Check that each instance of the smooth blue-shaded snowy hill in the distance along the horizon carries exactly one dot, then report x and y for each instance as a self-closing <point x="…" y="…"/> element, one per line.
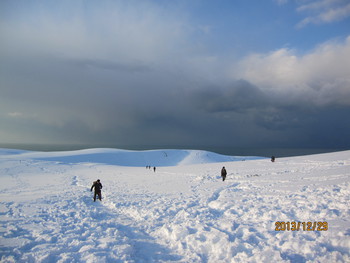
<point x="129" y="158"/>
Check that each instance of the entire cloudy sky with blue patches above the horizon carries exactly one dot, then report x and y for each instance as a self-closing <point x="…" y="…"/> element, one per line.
<point x="182" y="73"/>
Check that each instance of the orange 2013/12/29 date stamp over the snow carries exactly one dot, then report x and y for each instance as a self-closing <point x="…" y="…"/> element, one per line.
<point x="301" y="226"/>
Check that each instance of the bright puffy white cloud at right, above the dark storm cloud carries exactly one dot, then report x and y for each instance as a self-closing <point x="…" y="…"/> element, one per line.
<point x="321" y="77"/>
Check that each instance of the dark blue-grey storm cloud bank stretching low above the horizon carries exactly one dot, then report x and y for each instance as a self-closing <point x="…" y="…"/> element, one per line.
<point x="76" y="102"/>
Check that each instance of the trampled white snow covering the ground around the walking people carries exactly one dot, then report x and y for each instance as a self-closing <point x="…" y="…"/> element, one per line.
<point x="183" y="213"/>
